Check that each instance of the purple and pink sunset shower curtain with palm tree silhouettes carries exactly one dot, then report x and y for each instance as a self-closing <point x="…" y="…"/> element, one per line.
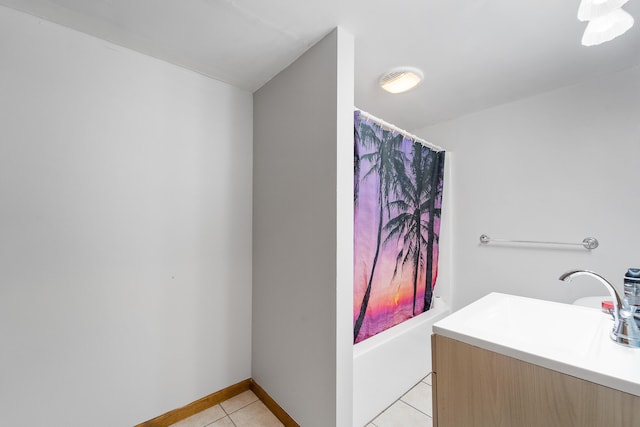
<point x="398" y="186"/>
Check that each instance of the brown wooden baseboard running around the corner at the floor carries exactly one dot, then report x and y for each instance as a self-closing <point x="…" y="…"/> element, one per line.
<point x="213" y="399"/>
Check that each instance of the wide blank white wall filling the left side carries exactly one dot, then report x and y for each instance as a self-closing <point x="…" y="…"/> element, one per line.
<point x="125" y="231"/>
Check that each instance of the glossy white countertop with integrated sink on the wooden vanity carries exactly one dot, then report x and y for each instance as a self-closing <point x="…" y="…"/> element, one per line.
<point x="566" y="338"/>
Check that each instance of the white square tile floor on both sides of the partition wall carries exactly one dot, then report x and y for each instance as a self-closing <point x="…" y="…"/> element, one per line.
<point x="246" y="410"/>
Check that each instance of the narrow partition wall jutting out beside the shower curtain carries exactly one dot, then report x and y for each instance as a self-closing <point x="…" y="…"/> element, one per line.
<point x="303" y="236"/>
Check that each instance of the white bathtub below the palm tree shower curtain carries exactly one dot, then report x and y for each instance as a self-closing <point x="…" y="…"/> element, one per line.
<point x="388" y="364"/>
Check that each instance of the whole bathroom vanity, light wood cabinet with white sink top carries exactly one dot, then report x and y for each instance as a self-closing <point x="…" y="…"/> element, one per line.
<point x="520" y="362"/>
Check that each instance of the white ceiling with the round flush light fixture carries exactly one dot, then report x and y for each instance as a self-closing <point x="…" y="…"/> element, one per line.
<point x="475" y="53"/>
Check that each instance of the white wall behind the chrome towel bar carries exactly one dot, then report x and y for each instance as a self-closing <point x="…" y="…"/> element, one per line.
<point x="559" y="166"/>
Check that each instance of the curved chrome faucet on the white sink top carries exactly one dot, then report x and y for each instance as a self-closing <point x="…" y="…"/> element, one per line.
<point x="624" y="330"/>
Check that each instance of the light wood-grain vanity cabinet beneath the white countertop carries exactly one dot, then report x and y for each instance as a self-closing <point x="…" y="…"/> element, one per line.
<point x="474" y="387"/>
